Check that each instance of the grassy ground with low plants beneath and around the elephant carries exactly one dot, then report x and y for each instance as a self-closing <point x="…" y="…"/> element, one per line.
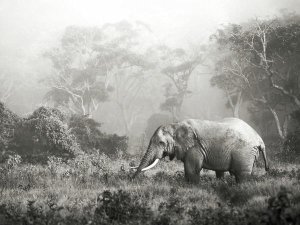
<point x="97" y="190"/>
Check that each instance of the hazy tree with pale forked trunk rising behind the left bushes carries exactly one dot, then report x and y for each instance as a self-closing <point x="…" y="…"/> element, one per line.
<point x="78" y="79"/>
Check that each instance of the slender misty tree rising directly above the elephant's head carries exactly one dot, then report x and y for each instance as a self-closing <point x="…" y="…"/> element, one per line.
<point x="177" y="65"/>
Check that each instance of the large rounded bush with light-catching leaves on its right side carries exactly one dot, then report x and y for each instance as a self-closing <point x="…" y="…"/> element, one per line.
<point x="44" y="133"/>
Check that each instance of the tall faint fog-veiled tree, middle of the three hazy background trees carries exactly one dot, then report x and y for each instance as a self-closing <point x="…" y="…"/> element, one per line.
<point x="127" y="65"/>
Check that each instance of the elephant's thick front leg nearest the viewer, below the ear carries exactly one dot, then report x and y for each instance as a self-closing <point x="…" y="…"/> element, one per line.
<point x="192" y="165"/>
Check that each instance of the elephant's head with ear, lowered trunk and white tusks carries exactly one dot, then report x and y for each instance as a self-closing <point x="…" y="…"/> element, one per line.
<point x="169" y="140"/>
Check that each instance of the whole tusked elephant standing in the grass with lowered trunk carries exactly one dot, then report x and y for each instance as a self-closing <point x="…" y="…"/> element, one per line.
<point x="225" y="145"/>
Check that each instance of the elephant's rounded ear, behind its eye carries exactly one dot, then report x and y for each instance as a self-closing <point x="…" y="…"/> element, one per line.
<point x="185" y="136"/>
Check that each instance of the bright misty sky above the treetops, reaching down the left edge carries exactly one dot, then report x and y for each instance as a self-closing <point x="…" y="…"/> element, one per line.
<point x="30" y="27"/>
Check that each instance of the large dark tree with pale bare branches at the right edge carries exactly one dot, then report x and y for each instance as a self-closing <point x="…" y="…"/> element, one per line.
<point x="269" y="54"/>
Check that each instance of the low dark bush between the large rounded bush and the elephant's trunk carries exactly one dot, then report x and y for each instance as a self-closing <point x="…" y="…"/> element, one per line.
<point x="89" y="136"/>
